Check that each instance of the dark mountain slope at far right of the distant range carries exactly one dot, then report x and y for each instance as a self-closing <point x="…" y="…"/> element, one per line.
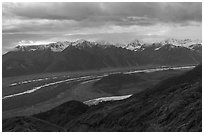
<point x="169" y="55"/>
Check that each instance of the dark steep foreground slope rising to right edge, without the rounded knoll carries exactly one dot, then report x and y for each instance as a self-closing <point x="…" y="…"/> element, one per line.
<point x="173" y="105"/>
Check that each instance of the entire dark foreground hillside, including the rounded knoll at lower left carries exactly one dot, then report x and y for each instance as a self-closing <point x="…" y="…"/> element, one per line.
<point x="174" y="105"/>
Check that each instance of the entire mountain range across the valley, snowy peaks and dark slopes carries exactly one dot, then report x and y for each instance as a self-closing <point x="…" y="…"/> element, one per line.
<point x="90" y="55"/>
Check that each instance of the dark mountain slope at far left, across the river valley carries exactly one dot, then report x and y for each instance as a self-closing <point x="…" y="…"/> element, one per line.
<point x="20" y="63"/>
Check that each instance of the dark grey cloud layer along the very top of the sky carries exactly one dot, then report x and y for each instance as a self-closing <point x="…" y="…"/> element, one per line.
<point x="109" y="11"/>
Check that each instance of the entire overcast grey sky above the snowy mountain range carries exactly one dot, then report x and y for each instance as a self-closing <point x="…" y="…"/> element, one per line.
<point x="42" y="23"/>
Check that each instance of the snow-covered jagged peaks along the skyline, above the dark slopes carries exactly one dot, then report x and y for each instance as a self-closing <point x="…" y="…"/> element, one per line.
<point x="135" y="45"/>
